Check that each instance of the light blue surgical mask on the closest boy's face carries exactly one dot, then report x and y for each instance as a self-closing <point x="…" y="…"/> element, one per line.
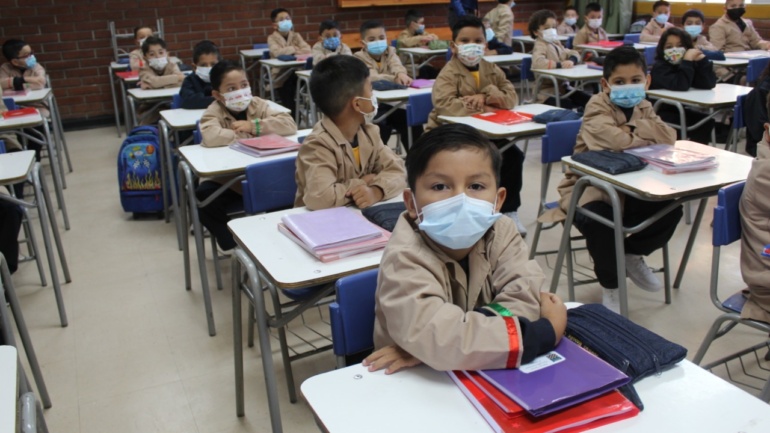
<point x="457" y="222"/>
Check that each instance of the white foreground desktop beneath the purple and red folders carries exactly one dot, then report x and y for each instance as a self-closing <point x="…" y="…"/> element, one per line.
<point x="685" y="398"/>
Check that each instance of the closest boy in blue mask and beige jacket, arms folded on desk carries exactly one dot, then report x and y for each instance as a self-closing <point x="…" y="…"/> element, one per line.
<point x="456" y="290"/>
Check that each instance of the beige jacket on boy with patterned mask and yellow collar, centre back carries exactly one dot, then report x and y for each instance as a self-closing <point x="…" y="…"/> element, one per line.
<point x="455" y="81"/>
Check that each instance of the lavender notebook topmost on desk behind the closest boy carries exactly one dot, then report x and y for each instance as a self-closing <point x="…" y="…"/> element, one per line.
<point x="331" y="227"/>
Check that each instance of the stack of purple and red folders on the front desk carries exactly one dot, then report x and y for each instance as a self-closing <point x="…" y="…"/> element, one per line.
<point x="565" y="390"/>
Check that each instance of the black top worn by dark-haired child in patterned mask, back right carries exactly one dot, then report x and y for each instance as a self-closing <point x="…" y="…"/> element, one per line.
<point x="684" y="76"/>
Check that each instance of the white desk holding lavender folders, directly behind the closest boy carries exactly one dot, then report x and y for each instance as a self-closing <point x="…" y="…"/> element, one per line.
<point x="271" y="259"/>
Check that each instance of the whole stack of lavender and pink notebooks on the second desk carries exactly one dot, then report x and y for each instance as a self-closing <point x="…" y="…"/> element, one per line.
<point x="332" y="234"/>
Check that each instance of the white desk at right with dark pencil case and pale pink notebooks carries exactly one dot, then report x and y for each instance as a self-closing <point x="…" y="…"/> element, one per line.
<point x="650" y="185"/>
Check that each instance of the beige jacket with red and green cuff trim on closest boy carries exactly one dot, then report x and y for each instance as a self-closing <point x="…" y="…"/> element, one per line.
<point x="424" y="301"/>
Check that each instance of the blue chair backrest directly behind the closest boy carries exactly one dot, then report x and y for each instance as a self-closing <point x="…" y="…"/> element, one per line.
<point x="352" y="314"/>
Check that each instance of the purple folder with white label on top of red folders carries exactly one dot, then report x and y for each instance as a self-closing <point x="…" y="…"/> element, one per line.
<point x="580" y="376"/>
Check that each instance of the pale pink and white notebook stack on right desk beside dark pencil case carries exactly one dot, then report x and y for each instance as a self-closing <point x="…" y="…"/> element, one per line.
<point x="668" y="159"/>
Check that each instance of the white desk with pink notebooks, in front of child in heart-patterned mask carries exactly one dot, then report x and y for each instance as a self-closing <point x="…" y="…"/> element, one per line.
<point x="227" y="165"/>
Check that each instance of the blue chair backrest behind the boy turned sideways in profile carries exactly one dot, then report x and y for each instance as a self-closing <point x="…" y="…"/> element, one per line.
<point x="269" y="186"/>
